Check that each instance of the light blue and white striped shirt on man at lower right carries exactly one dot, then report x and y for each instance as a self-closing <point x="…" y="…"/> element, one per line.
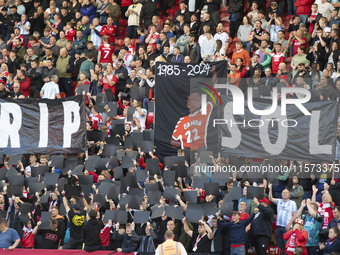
<point x="285" y="212"/>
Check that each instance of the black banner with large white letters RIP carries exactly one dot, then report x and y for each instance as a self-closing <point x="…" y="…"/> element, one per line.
<point x="31" y="126"/>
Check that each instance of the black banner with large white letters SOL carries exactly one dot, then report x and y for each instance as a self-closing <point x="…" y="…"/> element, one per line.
<point x="294" y="136"/>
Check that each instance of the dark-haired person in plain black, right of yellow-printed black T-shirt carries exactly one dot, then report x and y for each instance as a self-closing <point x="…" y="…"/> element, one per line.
<point x="91" y="232"/>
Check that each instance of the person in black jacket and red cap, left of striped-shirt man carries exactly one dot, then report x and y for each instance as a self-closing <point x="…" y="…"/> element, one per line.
<point x="261" y="226"/>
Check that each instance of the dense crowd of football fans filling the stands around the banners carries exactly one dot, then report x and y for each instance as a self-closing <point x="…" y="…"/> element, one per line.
<point x="56" y="49"/>
